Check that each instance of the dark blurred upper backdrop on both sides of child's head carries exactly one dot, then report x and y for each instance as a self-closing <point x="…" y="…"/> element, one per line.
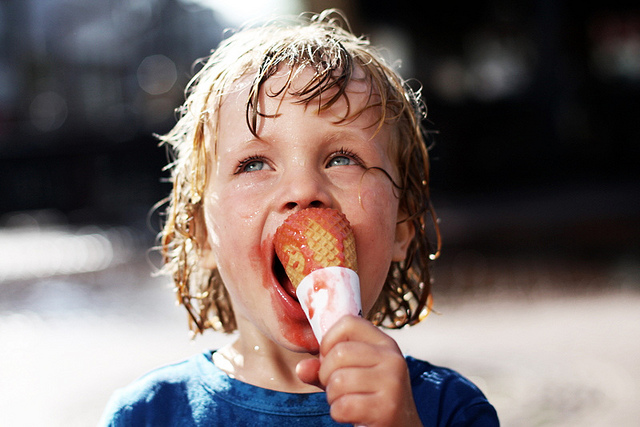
<point x="536" y="105"/>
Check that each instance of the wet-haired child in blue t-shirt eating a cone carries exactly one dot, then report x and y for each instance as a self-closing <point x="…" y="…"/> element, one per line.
<point x="283" y="117"/>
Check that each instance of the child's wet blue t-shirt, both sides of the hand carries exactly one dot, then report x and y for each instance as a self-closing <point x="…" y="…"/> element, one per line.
<point x="196" y="393"/>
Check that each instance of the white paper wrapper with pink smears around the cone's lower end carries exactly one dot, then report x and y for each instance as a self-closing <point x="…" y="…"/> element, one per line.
<point x="327" y="294"/>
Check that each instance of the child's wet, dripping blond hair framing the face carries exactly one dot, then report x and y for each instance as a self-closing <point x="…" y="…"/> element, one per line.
<point x="324" y="44"/>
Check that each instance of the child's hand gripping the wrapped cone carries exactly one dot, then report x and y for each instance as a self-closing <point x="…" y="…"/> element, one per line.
<point x="364" y="375"/>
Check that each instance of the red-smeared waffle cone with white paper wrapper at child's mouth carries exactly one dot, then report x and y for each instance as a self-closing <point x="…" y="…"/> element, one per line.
<point x="317" y="248"/>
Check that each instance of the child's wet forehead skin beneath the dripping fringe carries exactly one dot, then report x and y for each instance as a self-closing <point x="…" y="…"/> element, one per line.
<point x="358" y="109"/>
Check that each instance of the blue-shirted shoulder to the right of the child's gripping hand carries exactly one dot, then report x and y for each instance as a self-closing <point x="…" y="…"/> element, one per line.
<point x="443" y="396"/>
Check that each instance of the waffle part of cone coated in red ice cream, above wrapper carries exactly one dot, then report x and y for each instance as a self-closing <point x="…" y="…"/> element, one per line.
<point x="315" y="238"/>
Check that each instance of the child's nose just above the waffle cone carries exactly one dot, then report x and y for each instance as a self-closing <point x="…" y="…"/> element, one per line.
<point x="304" y="189"/>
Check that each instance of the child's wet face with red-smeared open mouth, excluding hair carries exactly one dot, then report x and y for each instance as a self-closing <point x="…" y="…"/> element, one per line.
<point x="301" y="159"/>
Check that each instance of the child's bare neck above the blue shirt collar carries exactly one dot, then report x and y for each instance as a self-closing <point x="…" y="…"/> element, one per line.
<point x="264" y="365"/>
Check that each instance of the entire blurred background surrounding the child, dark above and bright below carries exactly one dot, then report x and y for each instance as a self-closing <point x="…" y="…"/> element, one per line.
<point x="535" y="176"/>
